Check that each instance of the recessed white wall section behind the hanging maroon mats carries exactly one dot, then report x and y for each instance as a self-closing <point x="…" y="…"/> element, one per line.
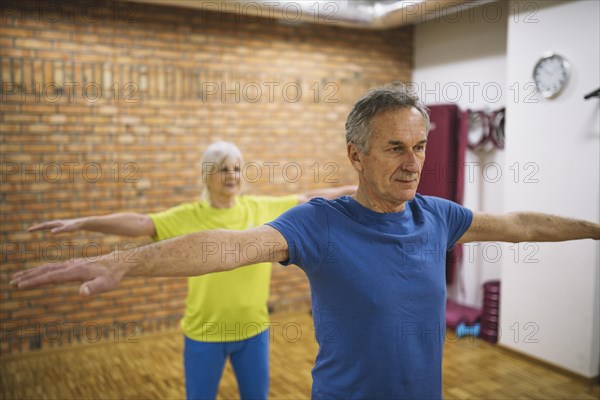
<point x="461" y="59"/>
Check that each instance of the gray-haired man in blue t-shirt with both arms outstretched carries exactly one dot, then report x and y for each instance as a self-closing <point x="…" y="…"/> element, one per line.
<point x="375" y="260"/>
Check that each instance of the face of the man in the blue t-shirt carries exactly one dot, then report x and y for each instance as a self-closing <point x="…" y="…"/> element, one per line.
<point x="390" y="173"/>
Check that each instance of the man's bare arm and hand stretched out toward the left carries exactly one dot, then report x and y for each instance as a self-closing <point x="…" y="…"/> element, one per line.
<point x="190" y="255"/>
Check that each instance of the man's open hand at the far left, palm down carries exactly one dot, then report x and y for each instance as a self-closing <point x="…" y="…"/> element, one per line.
<point x="97" y="276"/>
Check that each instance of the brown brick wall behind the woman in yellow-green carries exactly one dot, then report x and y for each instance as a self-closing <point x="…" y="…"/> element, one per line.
<point x="107" y="106"/>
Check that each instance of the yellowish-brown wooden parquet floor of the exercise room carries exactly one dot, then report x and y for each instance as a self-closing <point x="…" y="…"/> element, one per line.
<point x="152" y="369"/>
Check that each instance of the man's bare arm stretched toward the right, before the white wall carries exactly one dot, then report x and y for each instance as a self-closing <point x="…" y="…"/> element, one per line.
<point x="528" y="227"/>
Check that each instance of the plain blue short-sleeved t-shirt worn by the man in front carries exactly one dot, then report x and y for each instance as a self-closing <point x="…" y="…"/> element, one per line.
<point x="378" y="293"/>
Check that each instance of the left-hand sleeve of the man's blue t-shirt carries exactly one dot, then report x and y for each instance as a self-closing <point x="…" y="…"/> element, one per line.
<point x="306" y="231"/>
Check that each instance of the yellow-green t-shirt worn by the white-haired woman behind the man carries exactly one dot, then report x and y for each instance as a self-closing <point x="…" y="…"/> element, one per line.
<point x="231" y="305"/>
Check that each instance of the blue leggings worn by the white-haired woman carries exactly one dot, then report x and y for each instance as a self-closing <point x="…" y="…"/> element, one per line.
<point x="204" y="362"/>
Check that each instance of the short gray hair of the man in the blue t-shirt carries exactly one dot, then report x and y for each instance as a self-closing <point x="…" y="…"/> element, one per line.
<point x="393" y="96"/>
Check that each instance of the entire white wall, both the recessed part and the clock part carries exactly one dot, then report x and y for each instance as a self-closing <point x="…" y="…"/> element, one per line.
<point x="550" y="292"/>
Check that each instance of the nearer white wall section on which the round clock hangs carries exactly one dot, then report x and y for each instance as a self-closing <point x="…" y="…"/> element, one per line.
<point x="557" y="293"/>
